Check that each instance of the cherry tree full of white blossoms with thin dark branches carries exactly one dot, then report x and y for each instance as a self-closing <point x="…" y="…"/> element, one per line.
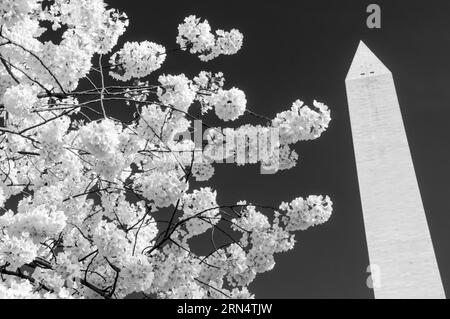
<point x="104" y="204"/>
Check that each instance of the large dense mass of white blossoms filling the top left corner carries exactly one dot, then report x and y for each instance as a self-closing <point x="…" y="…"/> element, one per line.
<point x="88" y="28"/>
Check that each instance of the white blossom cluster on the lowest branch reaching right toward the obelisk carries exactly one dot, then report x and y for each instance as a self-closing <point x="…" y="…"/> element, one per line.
<point x="261" y="238"/>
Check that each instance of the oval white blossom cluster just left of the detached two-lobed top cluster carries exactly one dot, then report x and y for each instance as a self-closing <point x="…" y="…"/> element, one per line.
<point x="136" y="60"/>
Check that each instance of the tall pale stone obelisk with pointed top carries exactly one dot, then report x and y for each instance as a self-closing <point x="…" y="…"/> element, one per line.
<point x="398" y="239"/>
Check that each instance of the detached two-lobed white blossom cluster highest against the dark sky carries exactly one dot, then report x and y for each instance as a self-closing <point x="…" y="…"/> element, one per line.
<point x="198" y="38"/>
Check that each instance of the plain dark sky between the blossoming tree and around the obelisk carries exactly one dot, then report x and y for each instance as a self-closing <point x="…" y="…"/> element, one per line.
<point x="303" y="49"/>
